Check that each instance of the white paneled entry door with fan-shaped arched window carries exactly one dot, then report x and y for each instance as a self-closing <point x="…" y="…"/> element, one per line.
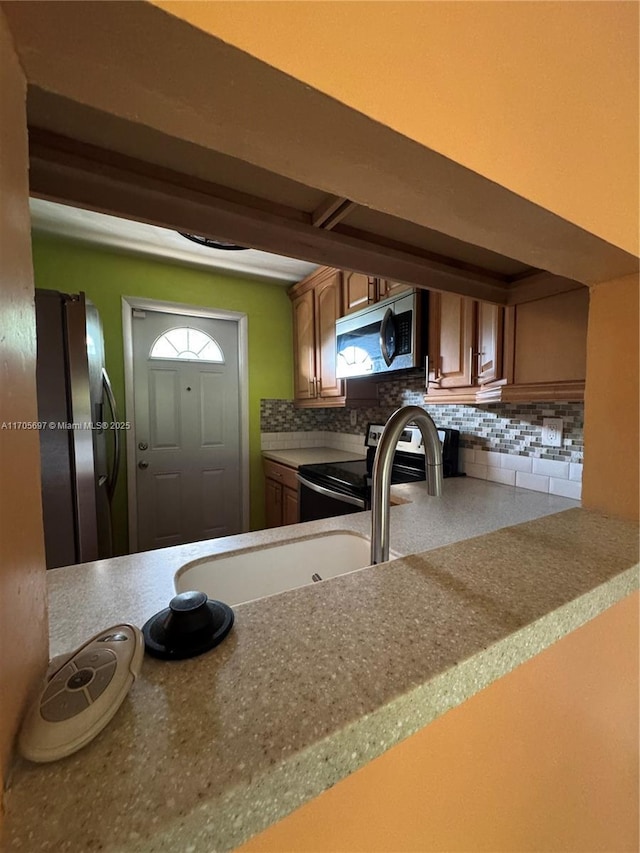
<point x="187" y="428"/>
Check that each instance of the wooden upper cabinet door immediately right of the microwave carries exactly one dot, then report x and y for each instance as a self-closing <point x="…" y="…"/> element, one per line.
<point x="451" y="322"/>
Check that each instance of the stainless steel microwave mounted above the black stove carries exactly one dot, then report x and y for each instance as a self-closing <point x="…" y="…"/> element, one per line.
<point x="390" y="335"/>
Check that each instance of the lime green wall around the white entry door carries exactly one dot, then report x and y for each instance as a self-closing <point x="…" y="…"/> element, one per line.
<point x="106" y="276"/>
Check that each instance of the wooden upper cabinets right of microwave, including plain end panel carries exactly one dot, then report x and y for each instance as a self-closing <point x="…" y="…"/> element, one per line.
<point x="531" y="351"/>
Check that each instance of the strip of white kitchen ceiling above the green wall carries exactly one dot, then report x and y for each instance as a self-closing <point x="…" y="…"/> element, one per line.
<point x="141" y="239"/>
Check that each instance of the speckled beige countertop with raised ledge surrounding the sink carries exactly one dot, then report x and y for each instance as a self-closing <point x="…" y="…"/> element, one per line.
<point x="312" y="683"/>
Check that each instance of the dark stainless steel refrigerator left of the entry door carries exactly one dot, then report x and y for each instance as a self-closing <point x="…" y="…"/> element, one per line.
<point x="79" y="455"/>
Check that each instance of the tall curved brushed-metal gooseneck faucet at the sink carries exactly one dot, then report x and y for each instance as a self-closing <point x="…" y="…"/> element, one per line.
<point x="382" y="464"/>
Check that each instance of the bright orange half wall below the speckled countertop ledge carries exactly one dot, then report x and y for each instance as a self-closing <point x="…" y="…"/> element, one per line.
<point x="546" y="758"/>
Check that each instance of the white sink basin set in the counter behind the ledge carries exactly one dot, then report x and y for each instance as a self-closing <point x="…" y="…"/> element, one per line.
<point x="258" y="572"/>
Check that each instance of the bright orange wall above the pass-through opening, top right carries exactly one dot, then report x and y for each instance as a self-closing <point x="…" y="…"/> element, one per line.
<point x="541" y="98"/>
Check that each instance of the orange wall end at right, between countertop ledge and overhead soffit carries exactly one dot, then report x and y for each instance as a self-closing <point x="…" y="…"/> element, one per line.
<point x="612" y="401"/>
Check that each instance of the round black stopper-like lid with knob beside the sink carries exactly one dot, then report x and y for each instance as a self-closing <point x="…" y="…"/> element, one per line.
<point x="191" y="625"/>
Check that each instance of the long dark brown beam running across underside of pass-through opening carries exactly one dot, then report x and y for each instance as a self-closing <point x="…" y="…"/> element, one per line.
<point x="86" y="176"/>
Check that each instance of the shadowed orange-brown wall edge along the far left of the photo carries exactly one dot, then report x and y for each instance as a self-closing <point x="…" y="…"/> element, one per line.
<point x="23" y="618"/>
